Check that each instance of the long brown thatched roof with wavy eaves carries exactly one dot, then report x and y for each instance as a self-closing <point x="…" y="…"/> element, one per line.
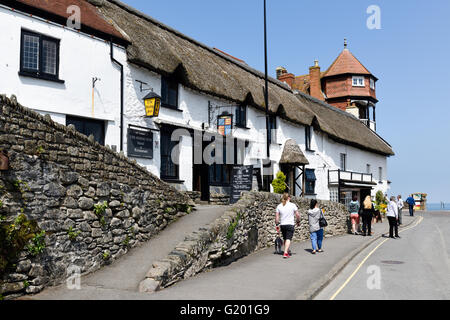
<point x="161" y="49"/>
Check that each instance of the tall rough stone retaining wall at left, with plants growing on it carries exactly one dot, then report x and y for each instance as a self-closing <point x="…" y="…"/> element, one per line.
<point x="57" y="177"/>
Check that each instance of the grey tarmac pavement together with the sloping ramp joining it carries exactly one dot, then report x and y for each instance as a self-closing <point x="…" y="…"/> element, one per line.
<point x="260" y="276"/>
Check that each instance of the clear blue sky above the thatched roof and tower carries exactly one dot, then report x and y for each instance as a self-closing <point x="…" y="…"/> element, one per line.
<point x="410" y="55"/>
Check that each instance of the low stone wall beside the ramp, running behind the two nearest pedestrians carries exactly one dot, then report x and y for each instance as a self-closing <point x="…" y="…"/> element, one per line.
<point x="246" y="227"/>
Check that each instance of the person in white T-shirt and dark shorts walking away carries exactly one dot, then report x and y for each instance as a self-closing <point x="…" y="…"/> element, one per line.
<point x="284" y="216"/>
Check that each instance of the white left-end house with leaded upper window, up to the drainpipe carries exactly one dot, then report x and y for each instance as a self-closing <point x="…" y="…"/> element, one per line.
<point x="52" y="68"/>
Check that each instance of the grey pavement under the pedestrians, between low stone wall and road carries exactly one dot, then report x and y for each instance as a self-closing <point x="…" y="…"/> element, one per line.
<point x="265" y="276"/>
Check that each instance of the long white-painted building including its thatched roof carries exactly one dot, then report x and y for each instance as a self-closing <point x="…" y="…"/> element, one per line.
<point x="198" y="86"/>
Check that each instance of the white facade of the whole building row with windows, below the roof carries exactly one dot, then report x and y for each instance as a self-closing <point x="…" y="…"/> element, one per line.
<point x="88" y="90"/>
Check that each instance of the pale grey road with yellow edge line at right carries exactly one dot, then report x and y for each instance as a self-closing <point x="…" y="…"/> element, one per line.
<point x="417" y="266"/>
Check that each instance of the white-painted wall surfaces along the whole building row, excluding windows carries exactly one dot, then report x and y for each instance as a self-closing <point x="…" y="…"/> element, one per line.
<point x="83" y="58"/>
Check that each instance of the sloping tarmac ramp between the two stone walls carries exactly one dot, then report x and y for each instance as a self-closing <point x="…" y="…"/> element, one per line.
<point x="121" y="279"/>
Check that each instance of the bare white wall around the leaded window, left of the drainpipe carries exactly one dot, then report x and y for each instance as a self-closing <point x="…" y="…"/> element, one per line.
<point x="81" y="59"/>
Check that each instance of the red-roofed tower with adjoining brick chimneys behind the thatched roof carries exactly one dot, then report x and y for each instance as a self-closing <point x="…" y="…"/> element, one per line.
<point x="346" y="84"/>
